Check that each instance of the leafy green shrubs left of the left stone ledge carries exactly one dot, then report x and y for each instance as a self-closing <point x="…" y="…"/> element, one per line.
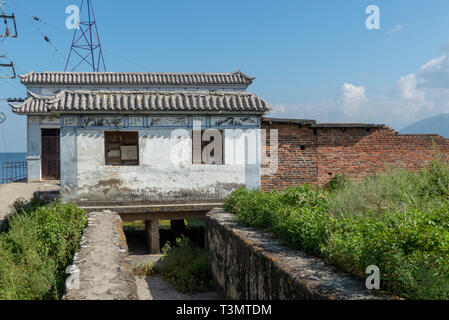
<point x="36" y="247"/>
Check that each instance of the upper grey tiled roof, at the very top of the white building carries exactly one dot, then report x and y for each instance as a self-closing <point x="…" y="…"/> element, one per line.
<point x="139" y="79"/>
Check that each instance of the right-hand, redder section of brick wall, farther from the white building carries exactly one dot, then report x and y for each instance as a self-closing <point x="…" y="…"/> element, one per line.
<point x="358" y="152"/>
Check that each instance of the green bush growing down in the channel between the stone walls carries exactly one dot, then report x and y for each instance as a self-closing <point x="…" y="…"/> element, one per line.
<point x="186" y="267"/>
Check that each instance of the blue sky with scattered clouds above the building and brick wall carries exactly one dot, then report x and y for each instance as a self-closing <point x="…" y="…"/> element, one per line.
<point x="312" y="59"/>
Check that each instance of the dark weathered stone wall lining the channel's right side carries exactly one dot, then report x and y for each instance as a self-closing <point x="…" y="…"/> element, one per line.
<point x="249" y="264"/>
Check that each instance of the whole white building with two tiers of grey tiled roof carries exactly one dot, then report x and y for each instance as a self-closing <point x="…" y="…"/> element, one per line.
<point x="127" y="137"/>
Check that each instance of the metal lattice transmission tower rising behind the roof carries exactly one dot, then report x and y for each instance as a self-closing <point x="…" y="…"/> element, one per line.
<point x="86" y="41"/>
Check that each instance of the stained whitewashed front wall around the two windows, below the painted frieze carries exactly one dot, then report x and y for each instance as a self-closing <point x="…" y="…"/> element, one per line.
<point x="84" y="176"/>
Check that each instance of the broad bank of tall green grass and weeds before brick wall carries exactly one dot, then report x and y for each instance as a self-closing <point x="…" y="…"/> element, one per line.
<point x="397" y="220"/>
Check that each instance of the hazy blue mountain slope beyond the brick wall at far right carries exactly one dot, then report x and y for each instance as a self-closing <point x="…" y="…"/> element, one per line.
<point x="438" y="124"/>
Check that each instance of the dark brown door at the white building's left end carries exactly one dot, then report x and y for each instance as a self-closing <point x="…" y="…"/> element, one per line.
<point x="50" y="154"/>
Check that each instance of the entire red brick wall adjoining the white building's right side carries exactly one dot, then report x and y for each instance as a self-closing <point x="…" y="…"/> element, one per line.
<point x="356" y="152"/>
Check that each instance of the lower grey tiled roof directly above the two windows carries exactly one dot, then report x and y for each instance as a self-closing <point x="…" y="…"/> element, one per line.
<point x="146" y="102"/>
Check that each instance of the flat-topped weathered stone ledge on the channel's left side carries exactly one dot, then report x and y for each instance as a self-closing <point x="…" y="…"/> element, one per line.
<point x="102" y="264"/>
